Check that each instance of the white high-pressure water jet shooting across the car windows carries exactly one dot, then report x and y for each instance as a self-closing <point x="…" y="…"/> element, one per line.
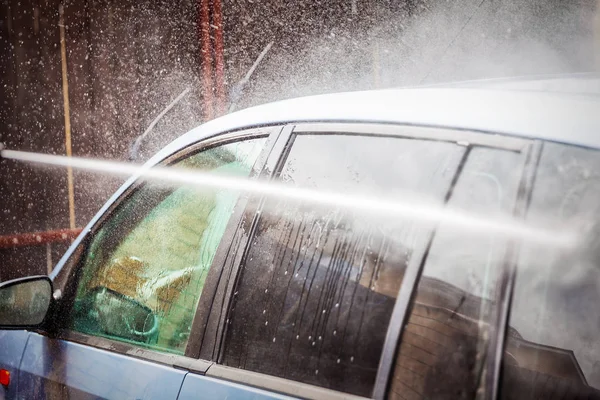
<point x="405" y="207"/>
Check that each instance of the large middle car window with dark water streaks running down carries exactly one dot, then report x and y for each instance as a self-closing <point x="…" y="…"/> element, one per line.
<point x="318" y="285"/>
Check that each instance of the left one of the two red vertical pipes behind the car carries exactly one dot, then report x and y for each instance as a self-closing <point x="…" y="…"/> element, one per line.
<point x="206" y="55"/>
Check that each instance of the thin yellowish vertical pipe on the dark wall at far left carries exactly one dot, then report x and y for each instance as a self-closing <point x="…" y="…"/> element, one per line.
<point x="63" y="54"/>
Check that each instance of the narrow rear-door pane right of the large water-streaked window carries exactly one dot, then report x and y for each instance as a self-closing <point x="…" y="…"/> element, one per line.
<point x="443" y="346"/>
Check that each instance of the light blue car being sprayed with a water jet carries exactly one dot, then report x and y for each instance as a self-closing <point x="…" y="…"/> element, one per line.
<point x="406" y="244"/>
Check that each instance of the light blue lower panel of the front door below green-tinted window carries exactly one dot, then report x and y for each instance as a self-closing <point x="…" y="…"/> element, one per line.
<point x="53" y="368"/>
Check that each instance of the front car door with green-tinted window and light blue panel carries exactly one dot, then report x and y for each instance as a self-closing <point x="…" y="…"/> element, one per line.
<point x="128" y="295"/>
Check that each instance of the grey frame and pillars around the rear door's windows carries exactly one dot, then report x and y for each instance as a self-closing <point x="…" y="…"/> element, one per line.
<point x="272" y="168"/>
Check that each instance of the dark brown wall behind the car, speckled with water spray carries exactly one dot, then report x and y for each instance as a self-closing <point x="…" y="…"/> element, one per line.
<point x="126" y="60"/>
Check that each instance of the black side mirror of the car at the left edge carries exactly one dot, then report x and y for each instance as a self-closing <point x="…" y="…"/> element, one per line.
<point x="24" y="302"/>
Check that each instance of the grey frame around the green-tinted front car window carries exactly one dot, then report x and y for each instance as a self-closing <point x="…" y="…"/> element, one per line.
<point x="69" y="277"/>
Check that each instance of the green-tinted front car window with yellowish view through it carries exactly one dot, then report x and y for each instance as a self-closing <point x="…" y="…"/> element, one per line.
<point x="145" y="268"/>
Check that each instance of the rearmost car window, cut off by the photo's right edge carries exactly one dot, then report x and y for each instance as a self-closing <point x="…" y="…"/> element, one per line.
<point x="552" y="349"/>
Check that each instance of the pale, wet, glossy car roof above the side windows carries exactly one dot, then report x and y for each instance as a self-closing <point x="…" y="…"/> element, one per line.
<point x="559" y="117"/>
